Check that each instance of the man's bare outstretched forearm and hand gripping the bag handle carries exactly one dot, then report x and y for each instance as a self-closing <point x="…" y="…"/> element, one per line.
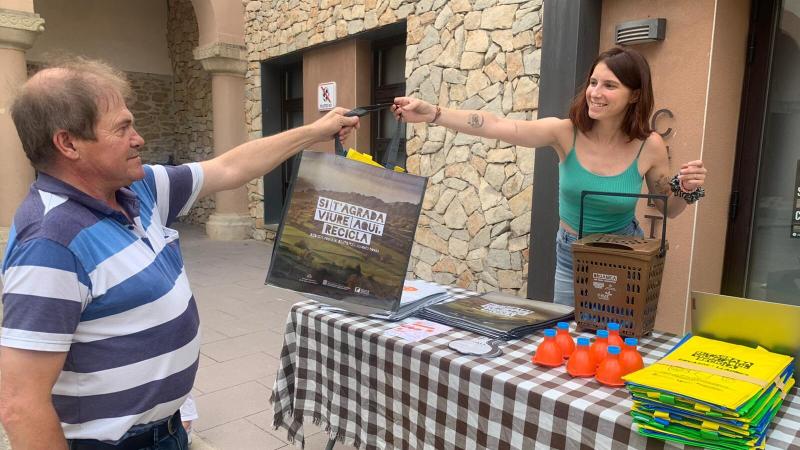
<point x="253" y="159"/>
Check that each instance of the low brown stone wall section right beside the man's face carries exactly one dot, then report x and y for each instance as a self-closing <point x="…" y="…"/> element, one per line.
<point x="153" y="108"/>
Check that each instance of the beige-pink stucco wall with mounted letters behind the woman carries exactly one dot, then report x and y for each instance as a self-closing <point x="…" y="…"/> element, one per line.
<point x="697" y="74"/>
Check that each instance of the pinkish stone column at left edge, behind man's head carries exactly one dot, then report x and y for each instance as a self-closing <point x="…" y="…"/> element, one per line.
<point x="18" y="30"/>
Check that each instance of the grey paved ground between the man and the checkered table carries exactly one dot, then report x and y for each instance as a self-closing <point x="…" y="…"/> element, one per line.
<point x="242" y="325"/>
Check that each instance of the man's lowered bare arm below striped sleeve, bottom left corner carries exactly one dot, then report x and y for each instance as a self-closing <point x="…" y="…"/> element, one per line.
<point x="26" y="406"/>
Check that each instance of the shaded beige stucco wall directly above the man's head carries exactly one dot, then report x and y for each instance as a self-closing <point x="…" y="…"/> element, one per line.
<point x="131" y="35"/>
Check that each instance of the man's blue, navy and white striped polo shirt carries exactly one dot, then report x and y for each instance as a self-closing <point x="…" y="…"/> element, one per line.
<point x="79" y="277"/>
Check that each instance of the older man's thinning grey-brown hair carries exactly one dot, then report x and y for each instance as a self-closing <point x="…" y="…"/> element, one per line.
<point x="64" y="96"/>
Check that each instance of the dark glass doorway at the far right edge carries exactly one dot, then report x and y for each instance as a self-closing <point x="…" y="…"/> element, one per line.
<point x="763" y="243"/>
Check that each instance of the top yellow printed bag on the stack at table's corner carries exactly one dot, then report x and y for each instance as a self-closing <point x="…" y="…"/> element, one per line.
<point x="713" y="371"/>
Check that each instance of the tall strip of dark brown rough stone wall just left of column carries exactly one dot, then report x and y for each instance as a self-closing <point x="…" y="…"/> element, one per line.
<point x="192" y="97"/>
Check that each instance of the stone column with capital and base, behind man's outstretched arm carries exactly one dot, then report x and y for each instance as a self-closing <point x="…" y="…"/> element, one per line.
<point x="227" y="64"/>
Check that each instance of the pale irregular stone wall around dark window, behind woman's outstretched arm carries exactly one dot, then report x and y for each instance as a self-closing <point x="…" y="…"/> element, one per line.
<point x="474" y="231"/>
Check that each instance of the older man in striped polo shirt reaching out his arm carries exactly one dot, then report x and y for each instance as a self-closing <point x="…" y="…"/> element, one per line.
<point x="100" y="340"/>
